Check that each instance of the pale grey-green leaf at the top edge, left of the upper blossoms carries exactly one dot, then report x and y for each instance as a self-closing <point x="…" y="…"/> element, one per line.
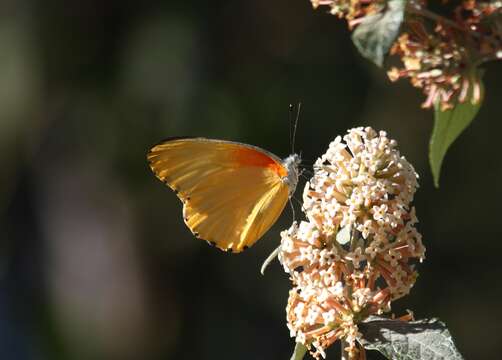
<point x="374" y="36"/>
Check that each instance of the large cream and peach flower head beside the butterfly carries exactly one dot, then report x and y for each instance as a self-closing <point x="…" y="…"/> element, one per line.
<point x="353" y="255"/>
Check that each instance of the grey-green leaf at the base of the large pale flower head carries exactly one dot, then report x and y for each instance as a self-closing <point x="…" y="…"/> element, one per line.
<point x="427" y="339"/>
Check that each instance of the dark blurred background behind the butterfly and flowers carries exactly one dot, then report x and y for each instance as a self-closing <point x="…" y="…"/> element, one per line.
<point x="95" y="261"/>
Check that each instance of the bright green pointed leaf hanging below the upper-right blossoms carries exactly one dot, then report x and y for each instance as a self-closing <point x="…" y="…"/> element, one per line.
<point x="448" y="125"/>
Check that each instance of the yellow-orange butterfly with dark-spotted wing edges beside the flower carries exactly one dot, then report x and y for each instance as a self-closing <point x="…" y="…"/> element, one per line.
<point x="232" y="193"/>
